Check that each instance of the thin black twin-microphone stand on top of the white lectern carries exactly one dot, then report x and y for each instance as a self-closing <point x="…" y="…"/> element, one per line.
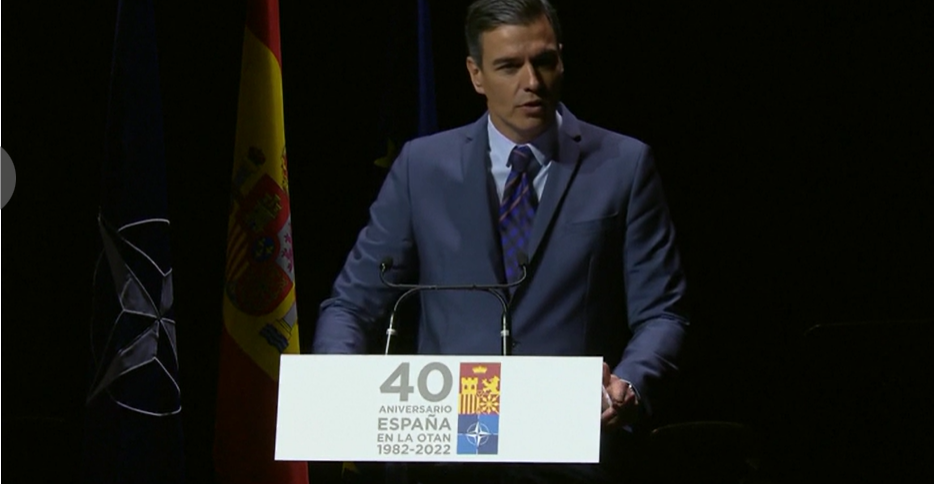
<point x="506" y="330"/>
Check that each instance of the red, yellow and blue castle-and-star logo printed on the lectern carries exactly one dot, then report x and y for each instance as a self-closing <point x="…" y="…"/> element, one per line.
<point x="478" y="409"/>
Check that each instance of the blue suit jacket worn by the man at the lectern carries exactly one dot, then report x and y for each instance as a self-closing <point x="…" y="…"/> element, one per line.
<point x="605" y="276"/>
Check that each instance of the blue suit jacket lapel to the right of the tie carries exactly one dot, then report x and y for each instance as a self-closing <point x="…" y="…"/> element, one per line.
<point x="559" y="179"/>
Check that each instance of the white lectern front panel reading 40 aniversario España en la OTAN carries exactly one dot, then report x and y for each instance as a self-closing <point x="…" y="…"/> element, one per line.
<point x="404" y="408"/>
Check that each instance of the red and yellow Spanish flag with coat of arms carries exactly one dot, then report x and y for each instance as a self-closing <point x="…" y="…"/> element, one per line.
<point x="260" y="319"/>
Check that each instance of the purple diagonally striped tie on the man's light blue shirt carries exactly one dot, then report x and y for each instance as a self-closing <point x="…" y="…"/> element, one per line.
<point x="517" y="210"/>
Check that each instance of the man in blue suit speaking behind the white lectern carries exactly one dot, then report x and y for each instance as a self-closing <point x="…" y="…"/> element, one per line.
<point x="585" y="206"/>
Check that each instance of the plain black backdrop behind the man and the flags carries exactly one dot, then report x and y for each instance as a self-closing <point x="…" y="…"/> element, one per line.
<point x="794" y="142"/>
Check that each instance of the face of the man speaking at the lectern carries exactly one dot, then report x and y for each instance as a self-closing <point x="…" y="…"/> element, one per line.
<point x="520" y="77"/>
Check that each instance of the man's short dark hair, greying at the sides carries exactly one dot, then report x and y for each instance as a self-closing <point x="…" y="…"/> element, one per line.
<point x="486" y="15"/>
